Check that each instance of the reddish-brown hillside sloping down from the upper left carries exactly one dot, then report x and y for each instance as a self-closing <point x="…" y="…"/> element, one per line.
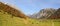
<point x="11" y="10"/>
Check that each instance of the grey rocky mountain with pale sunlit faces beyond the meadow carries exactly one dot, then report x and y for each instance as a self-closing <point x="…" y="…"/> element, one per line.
<point x="44" y="13"/>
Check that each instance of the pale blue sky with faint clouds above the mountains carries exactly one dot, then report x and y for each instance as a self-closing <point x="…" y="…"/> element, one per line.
<point x="33" y="6"/>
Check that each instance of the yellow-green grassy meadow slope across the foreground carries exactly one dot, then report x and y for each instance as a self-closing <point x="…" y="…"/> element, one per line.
<point x="7" y="20"/>
